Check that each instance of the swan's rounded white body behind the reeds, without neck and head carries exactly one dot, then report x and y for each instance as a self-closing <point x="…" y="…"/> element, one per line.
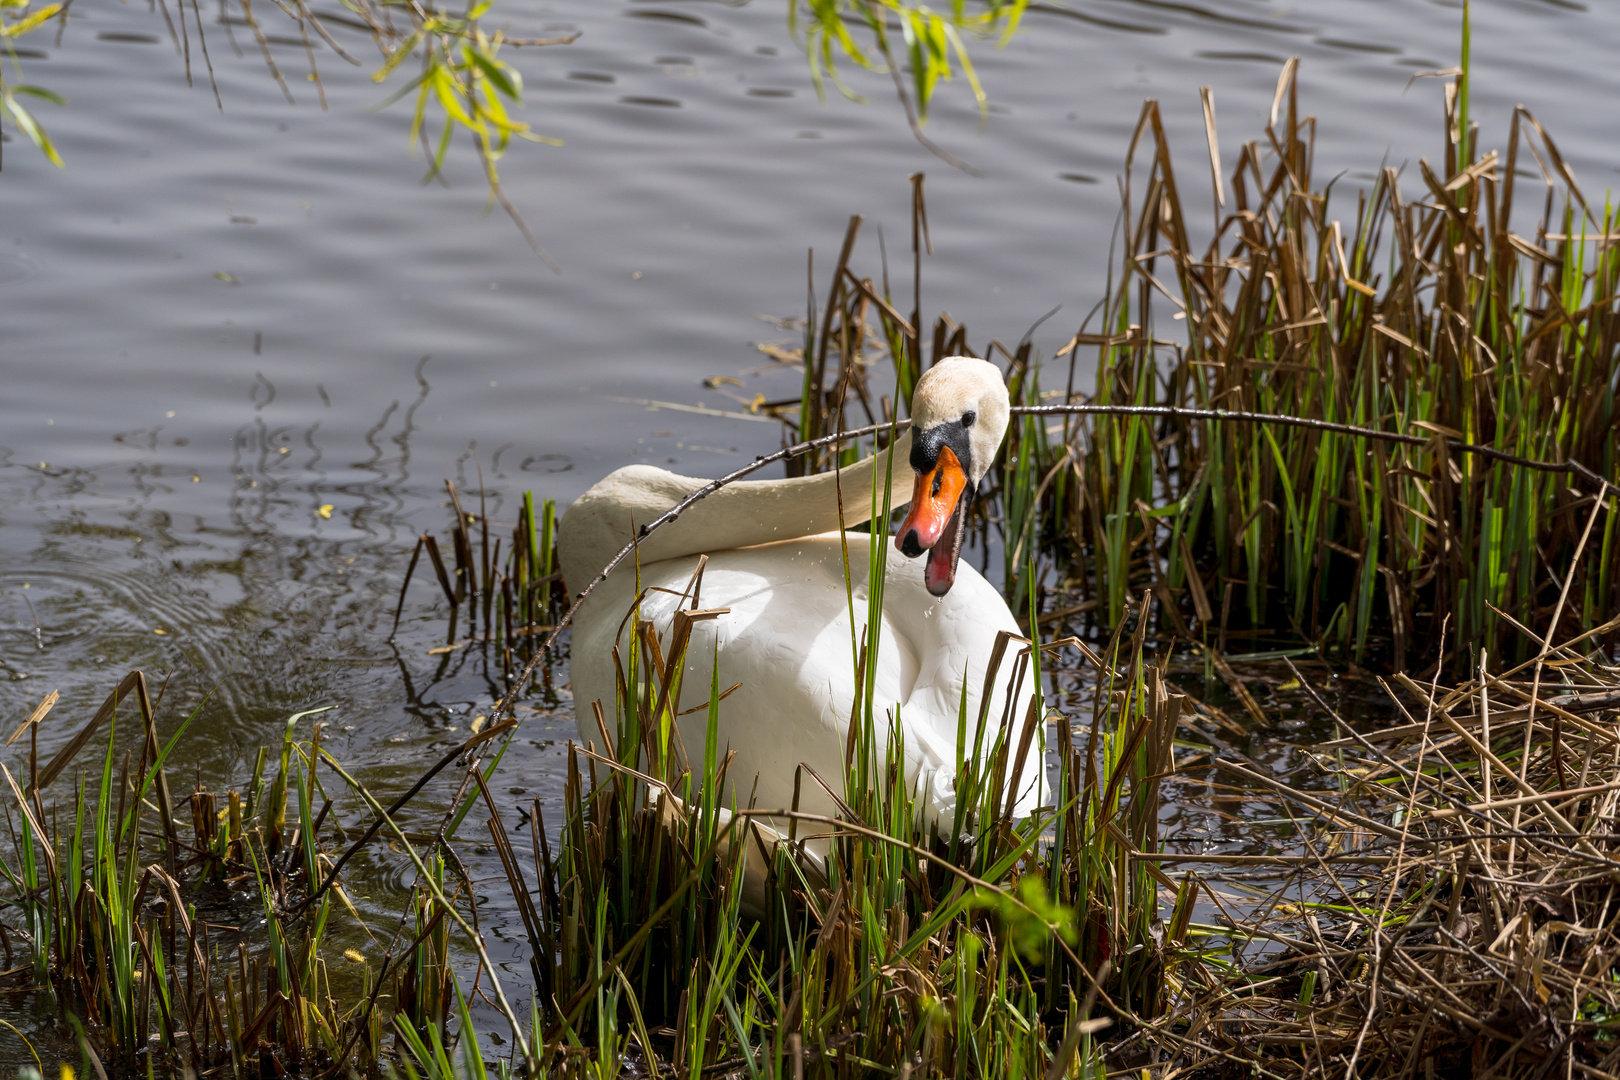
<point x="788" y="642"/>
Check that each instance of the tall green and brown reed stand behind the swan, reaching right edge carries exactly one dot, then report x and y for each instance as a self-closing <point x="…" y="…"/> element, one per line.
<point x="1426" y="318"/>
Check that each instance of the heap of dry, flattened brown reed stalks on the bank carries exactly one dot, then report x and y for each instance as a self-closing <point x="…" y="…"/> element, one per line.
<point x="1454" y="909"/>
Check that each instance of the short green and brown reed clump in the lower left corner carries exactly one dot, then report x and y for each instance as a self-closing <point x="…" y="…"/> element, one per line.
<point x="111" y="899"/>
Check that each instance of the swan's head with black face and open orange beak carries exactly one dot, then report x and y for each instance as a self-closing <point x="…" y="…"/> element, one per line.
<point x="960" y="415"/>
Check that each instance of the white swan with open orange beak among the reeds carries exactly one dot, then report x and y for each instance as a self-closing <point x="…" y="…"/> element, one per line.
<point x="777" y="561"/>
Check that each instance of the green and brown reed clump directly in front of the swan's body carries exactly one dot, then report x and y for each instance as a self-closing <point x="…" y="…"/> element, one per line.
<point x="673" y="929"/>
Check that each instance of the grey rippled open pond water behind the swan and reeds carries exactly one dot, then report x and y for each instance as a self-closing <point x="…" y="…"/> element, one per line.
<point x="216" y="323"/>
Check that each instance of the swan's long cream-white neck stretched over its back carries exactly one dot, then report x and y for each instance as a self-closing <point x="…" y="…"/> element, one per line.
<point x="738" y="516"/>
